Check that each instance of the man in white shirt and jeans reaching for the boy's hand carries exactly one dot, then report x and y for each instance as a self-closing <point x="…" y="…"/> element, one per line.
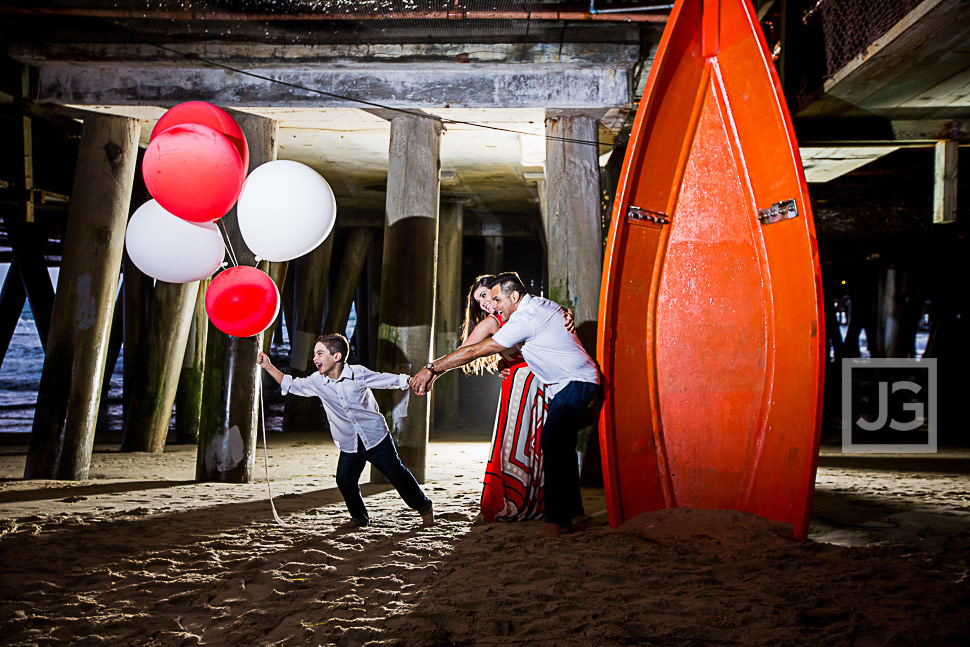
<point x="556" y="357"/>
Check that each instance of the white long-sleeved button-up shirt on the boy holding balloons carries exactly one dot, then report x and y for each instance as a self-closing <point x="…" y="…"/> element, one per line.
<point x="349" y="403"/>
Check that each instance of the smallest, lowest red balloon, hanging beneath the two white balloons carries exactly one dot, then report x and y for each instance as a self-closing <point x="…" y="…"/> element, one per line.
<point x="242" y="301"/>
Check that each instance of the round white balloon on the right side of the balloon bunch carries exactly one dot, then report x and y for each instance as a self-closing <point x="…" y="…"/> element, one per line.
<point x="285" y="209"/>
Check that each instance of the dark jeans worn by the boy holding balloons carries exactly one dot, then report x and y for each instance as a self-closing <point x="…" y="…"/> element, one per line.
<point x="384" y="457"/>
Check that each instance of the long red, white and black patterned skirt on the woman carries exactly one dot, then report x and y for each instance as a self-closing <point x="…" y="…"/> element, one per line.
<point x="513" y="476"/>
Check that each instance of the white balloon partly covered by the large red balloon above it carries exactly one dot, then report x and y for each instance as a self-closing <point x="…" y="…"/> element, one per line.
<point x="171" y="249"/>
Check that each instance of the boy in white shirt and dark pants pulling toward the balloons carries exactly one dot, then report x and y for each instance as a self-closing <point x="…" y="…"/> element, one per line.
<point x="357" y="426"/>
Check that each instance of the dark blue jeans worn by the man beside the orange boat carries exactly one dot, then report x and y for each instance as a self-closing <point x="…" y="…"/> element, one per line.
<point x="563" y="422"/>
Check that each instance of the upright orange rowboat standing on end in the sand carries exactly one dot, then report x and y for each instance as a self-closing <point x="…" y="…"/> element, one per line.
<point x="711" y="326"/>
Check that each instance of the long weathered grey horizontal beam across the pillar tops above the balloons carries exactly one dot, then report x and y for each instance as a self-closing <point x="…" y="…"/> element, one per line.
<point x="498" y="85"/>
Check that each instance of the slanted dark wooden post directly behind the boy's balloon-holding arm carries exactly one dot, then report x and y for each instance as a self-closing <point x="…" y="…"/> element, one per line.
<point x="310" y="279"/>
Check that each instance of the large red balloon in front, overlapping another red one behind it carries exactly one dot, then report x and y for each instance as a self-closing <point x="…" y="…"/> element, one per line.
<point x="194" y="172"/>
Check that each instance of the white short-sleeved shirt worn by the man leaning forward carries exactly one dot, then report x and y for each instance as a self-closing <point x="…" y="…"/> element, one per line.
<point x="553" y="353"/>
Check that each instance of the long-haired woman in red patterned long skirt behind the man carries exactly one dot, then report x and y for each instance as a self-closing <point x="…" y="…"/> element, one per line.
<point x="513" y="476"/>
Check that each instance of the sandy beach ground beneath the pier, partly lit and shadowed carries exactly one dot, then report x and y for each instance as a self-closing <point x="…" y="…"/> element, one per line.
<point x="141" y="555"/>
